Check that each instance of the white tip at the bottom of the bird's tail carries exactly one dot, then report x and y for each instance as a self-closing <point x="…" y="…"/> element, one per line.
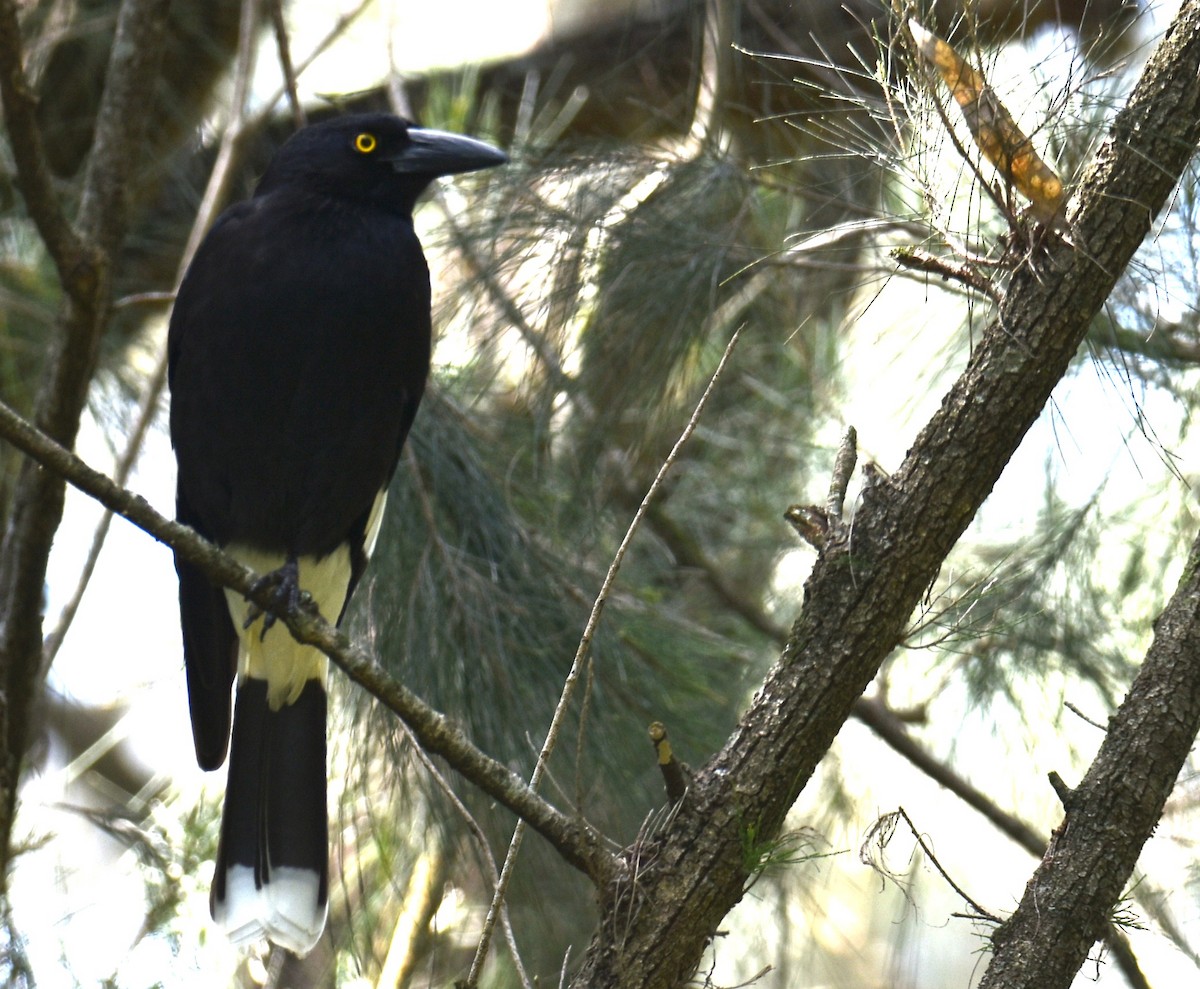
<point x="287" y="910"/>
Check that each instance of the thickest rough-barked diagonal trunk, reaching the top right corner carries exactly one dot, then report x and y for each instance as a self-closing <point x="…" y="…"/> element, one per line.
<point x="869" y="579"/>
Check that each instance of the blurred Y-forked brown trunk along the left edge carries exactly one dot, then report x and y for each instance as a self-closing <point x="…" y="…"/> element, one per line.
<point x="83" y="256"/>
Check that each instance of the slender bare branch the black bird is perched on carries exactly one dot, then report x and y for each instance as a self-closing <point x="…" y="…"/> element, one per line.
<point x="575" y="841"/>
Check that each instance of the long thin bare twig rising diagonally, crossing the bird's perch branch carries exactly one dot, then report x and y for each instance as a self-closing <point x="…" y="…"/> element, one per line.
<point x="581" y="655"/>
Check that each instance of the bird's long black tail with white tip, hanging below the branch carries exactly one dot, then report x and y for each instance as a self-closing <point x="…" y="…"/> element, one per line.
<point x="272" y="871"/>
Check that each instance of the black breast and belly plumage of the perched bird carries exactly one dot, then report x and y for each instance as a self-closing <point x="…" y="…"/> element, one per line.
<point x="299" y="349"/>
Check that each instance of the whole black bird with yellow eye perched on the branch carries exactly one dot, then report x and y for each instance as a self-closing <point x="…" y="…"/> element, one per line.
<point x="299" y="349"/>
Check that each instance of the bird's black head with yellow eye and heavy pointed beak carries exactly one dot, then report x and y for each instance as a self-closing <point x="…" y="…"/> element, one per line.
<point x="375" y="158"/>
